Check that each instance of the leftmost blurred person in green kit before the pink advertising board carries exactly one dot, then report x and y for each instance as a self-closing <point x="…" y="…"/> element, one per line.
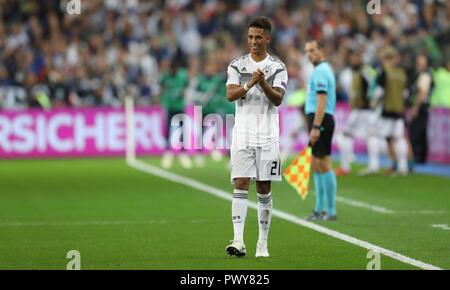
<point x="173" y="85"/>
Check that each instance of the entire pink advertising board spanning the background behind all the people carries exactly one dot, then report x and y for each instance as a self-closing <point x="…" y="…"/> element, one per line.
<point x="101" y="132"/>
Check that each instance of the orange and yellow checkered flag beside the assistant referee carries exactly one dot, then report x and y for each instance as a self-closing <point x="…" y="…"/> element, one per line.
<point x="297" y="173"/>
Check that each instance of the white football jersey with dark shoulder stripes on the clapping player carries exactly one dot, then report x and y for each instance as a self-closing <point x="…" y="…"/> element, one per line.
<point x="256" y="120"/>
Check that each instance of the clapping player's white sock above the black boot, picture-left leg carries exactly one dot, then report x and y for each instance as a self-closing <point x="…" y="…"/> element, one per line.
<point x="239" y="213"/>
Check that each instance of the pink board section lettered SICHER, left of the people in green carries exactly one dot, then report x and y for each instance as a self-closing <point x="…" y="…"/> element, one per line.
<point x="78" y="132"/>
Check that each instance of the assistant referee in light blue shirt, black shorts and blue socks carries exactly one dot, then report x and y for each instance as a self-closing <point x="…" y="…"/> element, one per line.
<point x="319" y="109"/>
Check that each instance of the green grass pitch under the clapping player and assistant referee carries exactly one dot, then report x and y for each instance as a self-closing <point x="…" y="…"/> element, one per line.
<point x="121" y="218"/>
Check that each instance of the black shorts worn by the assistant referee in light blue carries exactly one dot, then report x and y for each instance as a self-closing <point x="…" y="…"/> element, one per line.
<point x="322" y="148"/>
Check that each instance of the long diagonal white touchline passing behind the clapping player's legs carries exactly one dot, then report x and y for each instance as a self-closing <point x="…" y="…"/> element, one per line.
<point x="139" y="165"/>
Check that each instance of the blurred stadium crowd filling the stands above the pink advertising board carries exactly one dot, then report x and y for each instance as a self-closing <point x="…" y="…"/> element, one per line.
<point x="154" y="50"/>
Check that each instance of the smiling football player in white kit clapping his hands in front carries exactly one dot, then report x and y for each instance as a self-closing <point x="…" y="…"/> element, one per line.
<point x="257" y="83"/>
